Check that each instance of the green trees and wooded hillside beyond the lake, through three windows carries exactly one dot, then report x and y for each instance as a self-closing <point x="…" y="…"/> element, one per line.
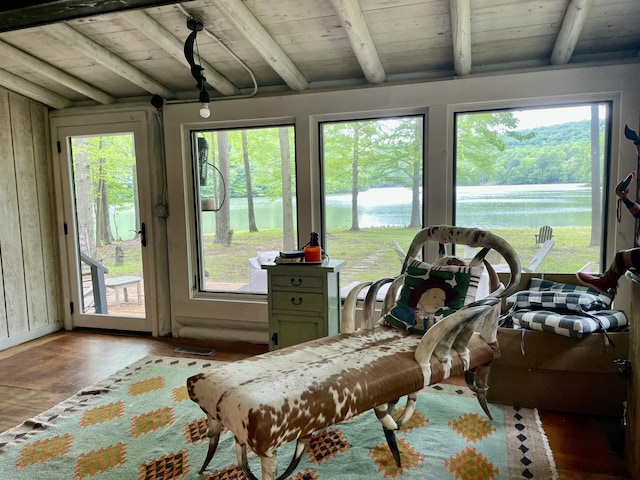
<point x="387" y="157"/>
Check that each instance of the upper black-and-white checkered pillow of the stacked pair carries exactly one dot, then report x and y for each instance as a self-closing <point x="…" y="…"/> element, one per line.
<point x="548" y="295"/>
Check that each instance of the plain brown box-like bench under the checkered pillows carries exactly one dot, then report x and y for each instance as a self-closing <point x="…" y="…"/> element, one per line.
<point x="559" y="373"/>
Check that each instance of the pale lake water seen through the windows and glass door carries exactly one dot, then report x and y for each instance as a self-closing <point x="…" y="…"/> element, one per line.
<point x="521" y="206"/>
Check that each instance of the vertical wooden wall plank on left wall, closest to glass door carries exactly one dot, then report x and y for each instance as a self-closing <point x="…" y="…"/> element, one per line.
<point x="46" y="207"/>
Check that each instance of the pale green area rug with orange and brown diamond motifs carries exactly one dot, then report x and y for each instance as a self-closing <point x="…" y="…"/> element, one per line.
<point x="140" y="425"/>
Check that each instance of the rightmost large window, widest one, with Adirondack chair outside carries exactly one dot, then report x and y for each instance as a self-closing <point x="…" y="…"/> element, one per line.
<point x="536" y="176"/>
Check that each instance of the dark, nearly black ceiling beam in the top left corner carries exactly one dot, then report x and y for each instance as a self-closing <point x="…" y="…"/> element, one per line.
<point x="31" y="13"/>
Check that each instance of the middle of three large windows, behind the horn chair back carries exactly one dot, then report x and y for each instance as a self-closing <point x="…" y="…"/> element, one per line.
<point x="373" y="197"/>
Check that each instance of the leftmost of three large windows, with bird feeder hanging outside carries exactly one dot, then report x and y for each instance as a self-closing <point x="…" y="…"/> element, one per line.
<point x="245" y="206"/>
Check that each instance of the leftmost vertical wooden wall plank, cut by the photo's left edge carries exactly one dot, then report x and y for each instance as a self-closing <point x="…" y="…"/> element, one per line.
<point x="10" y="241"/>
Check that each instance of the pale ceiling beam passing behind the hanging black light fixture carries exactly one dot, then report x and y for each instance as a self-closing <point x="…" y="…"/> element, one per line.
<point x="175" y="47"/>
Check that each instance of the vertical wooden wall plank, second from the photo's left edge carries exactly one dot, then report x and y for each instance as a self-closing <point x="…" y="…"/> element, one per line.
<point x="28" y="213"/>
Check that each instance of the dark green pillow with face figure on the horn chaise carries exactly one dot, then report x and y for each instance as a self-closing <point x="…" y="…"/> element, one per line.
<point x="430" y="293"/>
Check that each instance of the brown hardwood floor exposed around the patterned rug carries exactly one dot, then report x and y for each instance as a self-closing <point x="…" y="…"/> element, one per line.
<point x="39" y="374"/>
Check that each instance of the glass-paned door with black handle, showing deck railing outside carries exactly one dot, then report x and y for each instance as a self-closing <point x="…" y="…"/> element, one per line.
<point x="107" y="234"/>
